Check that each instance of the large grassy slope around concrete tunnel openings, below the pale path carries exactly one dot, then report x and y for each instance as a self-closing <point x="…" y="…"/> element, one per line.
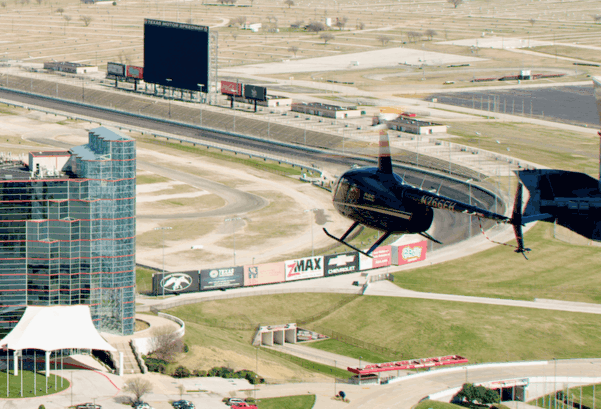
<point x="416" y="328"/>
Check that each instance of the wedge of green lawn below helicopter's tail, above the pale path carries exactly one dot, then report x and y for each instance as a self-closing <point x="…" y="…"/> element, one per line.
<point x="555" y="270"/>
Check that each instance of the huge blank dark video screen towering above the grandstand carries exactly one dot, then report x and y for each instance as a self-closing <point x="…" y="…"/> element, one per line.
<point x="176" y="54"/>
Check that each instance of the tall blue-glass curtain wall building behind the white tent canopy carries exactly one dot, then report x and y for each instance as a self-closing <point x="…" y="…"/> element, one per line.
<point x="67" y="231"/>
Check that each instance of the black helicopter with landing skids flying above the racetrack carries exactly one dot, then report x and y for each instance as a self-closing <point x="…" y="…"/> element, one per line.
<point x="380" y="199"/>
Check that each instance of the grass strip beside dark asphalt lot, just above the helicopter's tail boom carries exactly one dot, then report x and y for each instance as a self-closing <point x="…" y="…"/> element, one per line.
<point x="555" y="148"/>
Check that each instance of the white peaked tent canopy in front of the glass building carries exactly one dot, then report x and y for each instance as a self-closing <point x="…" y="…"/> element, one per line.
<point x="56" y="327"/>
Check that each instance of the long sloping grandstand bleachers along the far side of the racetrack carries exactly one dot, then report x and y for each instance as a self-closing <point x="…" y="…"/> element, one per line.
<point x="218" y="118"/>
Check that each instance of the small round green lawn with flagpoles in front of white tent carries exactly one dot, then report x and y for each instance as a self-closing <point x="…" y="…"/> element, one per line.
<point x="28" y="385"/>
